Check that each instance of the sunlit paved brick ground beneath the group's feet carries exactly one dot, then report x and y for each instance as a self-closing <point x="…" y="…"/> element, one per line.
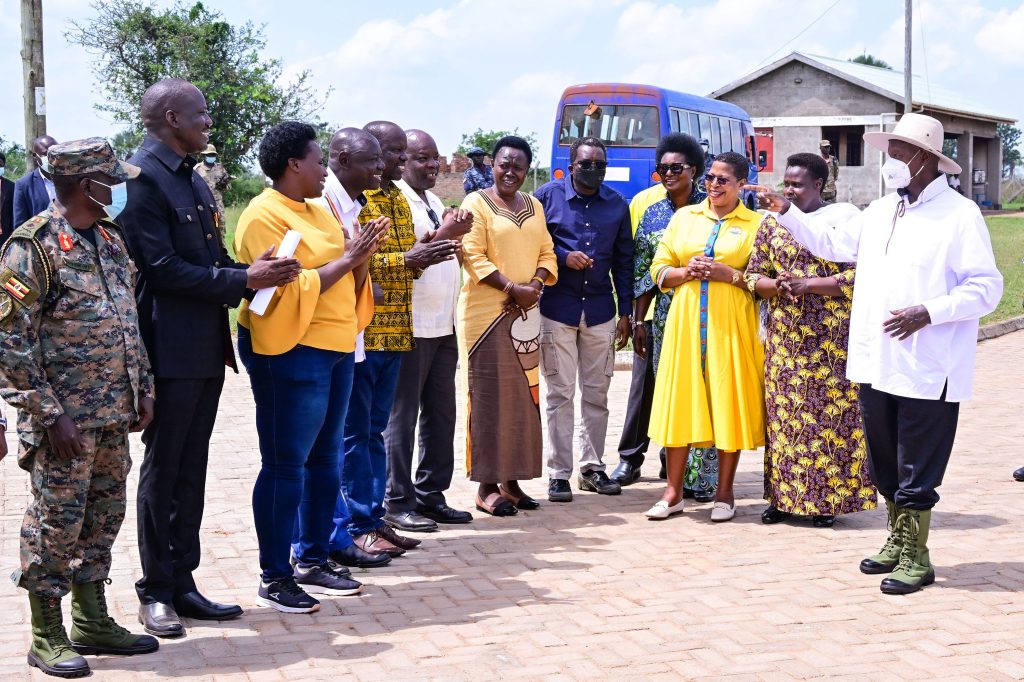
<point x="593" y="590"/>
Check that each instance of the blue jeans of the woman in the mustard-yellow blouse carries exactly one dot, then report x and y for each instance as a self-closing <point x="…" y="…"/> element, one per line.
<point x="302" y="401"/>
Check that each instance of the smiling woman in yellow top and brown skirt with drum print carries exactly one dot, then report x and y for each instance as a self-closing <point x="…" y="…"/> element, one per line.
<point x="508" y="258"/>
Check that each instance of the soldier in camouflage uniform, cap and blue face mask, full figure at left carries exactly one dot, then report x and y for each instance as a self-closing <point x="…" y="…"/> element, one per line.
<point x="73" y="363"/>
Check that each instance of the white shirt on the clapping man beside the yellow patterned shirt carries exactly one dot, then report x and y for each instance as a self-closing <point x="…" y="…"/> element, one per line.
<point x="436" y="293"/>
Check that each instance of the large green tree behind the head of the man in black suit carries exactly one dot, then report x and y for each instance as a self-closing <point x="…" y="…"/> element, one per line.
<point x="136" y="45"/>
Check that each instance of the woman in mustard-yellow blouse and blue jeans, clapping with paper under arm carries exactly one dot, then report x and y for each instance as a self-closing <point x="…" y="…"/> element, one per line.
<point x="300" y="356"/>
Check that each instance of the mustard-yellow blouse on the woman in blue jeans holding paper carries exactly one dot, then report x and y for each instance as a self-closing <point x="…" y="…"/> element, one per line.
<point x="300" y="313"/>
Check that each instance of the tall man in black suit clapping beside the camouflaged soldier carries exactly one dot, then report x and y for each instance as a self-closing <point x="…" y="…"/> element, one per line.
<point x="187" y="283"/>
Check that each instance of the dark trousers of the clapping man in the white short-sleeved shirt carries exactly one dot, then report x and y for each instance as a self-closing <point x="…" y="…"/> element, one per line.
<point x="426" y="396"/>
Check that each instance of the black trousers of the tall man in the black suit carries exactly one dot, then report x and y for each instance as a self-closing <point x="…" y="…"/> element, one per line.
<point x="173" y="486"/>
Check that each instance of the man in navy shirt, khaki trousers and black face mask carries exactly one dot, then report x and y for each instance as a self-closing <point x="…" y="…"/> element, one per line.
<point x="590" y="226"/>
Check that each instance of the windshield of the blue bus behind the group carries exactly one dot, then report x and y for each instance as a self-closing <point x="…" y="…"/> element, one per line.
<point x="616" y="125"/>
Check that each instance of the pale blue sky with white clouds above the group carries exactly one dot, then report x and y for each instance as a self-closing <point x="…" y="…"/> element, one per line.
<point x="454" y="66"/>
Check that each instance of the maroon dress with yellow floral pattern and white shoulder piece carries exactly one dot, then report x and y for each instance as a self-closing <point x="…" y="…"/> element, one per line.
<point x="816" y="460"/>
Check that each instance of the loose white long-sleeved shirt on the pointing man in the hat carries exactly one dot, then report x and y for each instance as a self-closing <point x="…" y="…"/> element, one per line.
<point x="936" y="252"/>
